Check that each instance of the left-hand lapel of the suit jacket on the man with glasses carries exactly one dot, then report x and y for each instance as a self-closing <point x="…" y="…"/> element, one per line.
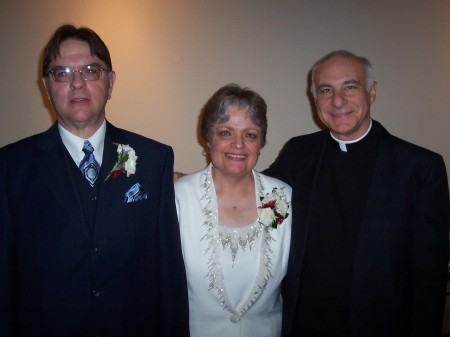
<point x="53" y="168"/>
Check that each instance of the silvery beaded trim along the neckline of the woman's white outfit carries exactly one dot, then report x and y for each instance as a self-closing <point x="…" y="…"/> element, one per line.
<point x="218" y="236"/>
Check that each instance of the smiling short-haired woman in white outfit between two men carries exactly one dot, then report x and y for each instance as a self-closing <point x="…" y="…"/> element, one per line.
<point x="235" y="224"/>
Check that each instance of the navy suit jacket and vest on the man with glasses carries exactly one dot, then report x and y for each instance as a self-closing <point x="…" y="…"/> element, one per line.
<point x="123" y="276"/>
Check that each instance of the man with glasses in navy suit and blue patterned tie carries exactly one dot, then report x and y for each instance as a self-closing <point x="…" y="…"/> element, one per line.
<point x="89" y="241"/>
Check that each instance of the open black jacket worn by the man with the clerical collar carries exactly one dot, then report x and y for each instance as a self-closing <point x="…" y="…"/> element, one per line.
<point x="400" y="267"/>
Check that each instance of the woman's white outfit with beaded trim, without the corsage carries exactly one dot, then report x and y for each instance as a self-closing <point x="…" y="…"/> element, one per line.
<point x="233" y="274"/>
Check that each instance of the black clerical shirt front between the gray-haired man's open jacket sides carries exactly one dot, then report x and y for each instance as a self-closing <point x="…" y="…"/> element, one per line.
<point x="337" y="211"/>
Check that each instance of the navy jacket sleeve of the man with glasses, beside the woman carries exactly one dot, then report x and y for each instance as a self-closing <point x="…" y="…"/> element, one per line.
<point x="175" y="306"/>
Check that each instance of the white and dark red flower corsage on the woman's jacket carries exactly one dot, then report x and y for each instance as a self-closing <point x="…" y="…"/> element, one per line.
<point x="274" y="208"/>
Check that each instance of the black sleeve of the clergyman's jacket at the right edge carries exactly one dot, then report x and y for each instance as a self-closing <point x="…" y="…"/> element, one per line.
<point x="431" y="218"/>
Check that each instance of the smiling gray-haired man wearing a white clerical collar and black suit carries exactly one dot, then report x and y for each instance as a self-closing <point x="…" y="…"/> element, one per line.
<point x="369" y="247"/>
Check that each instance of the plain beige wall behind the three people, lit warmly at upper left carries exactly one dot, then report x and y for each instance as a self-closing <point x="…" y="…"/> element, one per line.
<point x="170" y="56"/>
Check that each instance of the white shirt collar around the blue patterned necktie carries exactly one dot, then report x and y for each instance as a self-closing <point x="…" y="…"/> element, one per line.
<point x="74" y="144"/>
